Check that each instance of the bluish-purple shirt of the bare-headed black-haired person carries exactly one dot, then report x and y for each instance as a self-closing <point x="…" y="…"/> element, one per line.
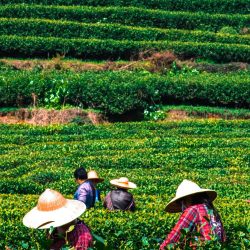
<point x="86" y="194"/>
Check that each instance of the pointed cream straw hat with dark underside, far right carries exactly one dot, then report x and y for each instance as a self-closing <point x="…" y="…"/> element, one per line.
<point x="187" y="188"/>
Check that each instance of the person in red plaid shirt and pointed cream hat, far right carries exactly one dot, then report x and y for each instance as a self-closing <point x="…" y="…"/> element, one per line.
<point x="198" y="214"/>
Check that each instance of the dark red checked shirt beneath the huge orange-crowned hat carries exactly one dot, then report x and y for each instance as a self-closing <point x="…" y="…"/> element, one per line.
<point x="80" y="238"/>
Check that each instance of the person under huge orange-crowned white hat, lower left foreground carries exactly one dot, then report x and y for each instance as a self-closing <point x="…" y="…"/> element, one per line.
<point x="54" y="211"/>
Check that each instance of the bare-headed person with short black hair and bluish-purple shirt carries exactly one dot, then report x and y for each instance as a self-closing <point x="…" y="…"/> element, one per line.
<point x="86" y="190"/>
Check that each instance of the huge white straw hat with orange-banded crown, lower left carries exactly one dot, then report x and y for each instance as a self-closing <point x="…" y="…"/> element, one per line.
<point x="53" y="210"/>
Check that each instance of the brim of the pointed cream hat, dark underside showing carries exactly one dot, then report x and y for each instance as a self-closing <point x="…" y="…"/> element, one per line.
<point x="174" y="205"/>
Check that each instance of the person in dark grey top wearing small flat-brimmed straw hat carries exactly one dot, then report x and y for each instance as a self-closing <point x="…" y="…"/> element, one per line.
<point x="120" y="198"/>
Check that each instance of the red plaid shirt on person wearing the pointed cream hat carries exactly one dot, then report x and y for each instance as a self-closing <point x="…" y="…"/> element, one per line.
<point x="195" y="217"/>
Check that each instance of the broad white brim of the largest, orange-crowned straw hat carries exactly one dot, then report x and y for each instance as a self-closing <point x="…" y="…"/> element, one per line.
<point x="45" y="219"/>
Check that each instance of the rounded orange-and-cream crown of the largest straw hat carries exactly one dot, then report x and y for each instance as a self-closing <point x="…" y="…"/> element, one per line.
<point x="50" y="200"/>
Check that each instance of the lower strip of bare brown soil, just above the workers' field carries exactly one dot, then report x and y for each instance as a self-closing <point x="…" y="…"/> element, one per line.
<point x="78" y="116"/>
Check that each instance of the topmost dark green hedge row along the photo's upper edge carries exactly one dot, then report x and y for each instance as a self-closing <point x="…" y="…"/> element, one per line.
<point x="210" y="6"/>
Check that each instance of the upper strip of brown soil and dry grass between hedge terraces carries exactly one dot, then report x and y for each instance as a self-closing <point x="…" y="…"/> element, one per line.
<point x="150" y="64"/>
